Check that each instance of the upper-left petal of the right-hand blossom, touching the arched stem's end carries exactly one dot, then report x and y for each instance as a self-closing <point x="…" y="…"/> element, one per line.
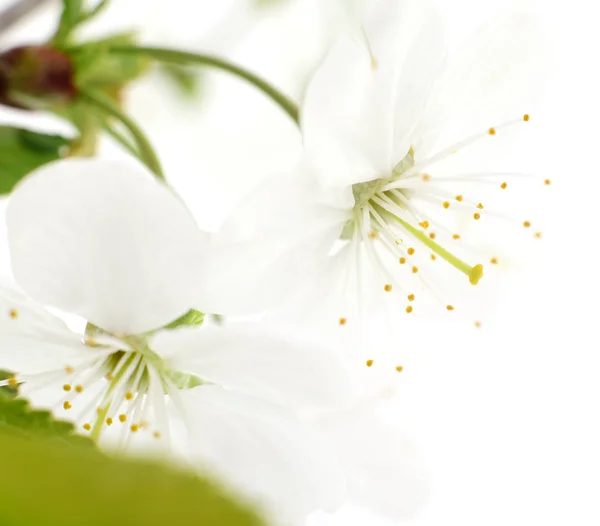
<point x="346" y="117"/>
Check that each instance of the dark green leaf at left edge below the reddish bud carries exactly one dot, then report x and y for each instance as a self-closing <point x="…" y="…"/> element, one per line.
<point x="22" y="151"/>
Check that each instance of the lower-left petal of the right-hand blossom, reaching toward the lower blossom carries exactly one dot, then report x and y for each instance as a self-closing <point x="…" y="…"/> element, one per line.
<point x="279" y="234"/>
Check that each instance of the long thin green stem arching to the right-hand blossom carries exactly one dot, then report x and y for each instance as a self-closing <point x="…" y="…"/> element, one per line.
<point x="184" y="58"/>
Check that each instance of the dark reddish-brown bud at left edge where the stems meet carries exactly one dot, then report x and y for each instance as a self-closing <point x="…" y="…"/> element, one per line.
<point x="35" y="77"/>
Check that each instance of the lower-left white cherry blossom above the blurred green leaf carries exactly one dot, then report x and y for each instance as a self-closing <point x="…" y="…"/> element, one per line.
<point x="109" y="243"/>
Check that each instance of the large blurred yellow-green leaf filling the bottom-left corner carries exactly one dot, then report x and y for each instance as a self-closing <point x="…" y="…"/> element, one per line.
<point x="48" y="484"/>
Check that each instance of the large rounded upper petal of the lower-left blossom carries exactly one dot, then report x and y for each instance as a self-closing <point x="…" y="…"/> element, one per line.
<point x="106" y="241"/>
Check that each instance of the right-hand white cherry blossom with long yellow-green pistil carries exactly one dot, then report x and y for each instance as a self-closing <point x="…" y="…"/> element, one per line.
<point x="408" y="181"/>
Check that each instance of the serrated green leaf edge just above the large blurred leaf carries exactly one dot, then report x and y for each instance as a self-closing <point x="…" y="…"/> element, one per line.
<point x="19" y="419"/>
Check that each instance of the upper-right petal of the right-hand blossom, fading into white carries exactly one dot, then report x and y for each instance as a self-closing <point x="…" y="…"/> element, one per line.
<point x="496" y="75"/>
